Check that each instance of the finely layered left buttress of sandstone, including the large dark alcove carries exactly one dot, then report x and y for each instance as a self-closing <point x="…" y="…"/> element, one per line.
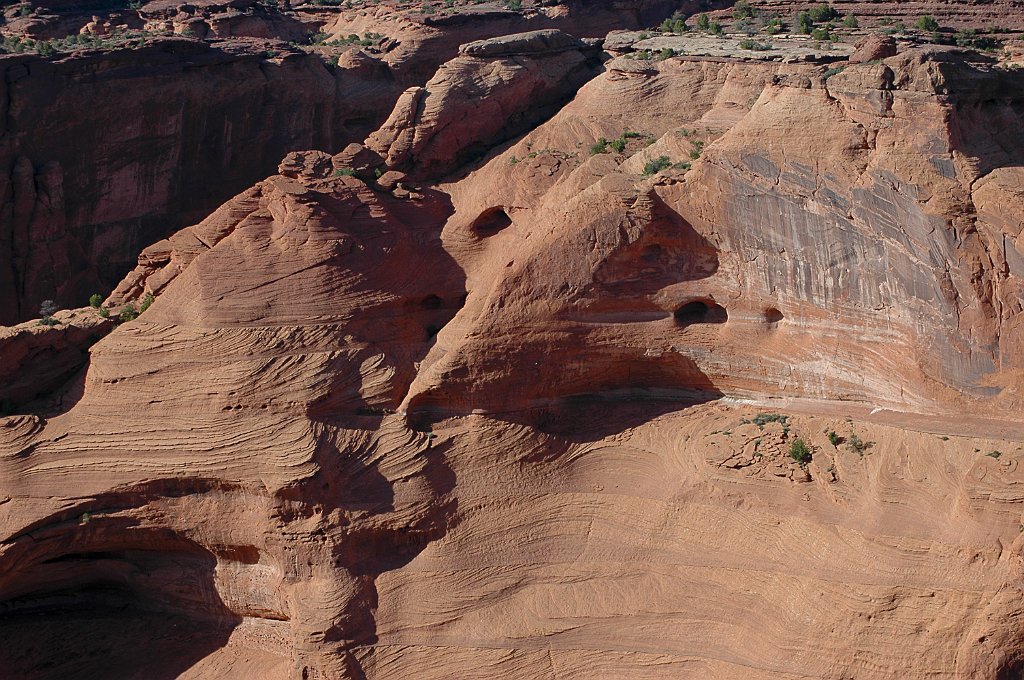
<point x="350" y="291"/>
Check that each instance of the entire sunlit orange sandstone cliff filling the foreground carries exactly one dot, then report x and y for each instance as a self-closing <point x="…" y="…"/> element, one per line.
<point x="714" y="374"/>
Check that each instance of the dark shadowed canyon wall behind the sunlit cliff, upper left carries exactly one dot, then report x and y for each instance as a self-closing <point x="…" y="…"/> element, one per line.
<point x="133" y="140"/>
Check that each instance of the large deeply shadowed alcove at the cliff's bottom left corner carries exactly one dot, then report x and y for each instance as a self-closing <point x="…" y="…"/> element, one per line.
<point x="147" y="608"/>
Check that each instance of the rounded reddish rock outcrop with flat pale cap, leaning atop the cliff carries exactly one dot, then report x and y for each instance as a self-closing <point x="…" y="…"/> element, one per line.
<point x="496" y="91"/>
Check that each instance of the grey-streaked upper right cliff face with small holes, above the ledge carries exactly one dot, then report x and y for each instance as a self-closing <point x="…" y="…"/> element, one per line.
<point x="854" y="267"/>
